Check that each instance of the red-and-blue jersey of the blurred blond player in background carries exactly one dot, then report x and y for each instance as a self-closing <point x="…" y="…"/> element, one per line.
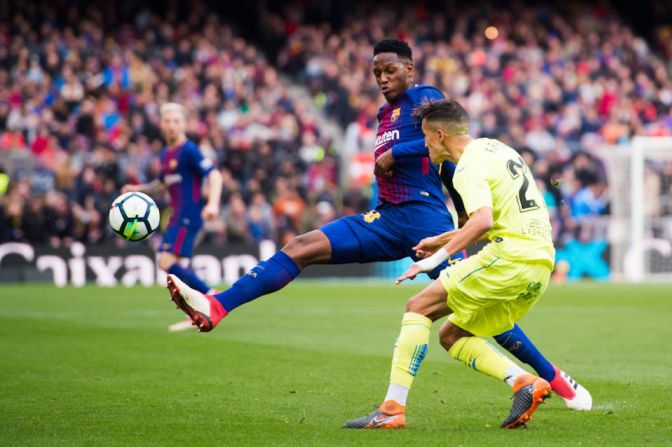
<point x="183" y="169"/>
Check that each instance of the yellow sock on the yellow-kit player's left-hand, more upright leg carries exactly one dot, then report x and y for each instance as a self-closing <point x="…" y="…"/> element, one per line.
<point x="410" y="348"/>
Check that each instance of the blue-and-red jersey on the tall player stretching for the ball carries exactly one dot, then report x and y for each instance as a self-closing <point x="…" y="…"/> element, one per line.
<point x="415" y="177"/>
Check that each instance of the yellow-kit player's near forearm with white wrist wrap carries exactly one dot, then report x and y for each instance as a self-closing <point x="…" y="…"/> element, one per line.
<point x="478" y="225"/>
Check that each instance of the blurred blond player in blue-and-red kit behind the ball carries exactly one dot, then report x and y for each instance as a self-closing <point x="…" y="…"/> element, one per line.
<point x="183" y="170"/>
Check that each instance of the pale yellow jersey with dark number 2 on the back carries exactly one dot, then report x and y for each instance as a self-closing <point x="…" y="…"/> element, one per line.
<point x="492" y="174"/>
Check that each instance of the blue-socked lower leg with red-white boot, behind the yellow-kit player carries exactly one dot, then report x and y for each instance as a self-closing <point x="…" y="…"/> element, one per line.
<point x="575" y="396"/>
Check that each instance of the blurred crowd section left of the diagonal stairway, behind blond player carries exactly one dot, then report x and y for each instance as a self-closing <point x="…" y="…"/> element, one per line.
<point x="79" y="118"/>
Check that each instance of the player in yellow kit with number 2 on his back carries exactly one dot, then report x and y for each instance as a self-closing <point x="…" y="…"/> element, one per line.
<point x="485" y="294"/>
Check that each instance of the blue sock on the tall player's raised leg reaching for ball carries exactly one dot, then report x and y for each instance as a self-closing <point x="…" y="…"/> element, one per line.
<point x="266" y="277"/>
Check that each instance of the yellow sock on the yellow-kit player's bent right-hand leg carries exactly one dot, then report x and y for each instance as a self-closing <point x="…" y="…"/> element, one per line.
<point x="480" y="355"/>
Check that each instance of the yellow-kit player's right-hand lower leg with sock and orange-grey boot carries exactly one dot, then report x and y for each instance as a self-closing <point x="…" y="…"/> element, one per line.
<point x="529" y="390"/>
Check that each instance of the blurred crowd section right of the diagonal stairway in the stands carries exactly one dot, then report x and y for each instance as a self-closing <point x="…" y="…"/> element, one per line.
<point x="554" y="82"/>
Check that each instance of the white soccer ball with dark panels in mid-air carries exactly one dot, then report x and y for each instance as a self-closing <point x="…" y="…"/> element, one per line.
<point x="134" y="216"/>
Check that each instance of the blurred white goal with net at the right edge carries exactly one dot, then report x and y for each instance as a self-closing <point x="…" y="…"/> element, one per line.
<point x="640" y="225"/>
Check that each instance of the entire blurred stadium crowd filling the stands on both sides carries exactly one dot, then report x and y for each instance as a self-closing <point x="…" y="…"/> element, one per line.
<point x="79" y="101"/>
